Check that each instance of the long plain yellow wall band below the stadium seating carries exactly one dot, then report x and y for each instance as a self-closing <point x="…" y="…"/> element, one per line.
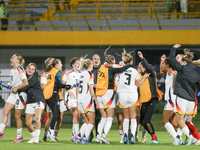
<point x="150" y="37"/>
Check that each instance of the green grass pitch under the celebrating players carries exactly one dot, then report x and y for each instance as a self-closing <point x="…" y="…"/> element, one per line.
<point x="65" y="143"/>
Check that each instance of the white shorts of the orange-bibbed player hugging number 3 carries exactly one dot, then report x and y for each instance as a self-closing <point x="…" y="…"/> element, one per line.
<point x="107" y="100"/>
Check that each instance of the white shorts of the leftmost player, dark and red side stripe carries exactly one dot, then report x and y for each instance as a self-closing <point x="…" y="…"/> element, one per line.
<point x="19" y="100"/>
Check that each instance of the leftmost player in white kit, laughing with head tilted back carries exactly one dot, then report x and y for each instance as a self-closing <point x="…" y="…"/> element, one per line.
<point x="18" y="81"/>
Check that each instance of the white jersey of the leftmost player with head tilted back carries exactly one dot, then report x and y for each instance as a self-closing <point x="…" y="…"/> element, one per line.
<point x="17" y="76"/>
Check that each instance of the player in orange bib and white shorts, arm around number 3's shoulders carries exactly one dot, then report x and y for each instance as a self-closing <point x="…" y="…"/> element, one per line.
<point x="105" y="96"/>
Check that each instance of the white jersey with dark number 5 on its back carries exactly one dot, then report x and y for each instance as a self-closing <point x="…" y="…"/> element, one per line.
<point x="86" y="79"/>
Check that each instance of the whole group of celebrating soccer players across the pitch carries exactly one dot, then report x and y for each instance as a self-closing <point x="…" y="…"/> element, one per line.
<point x="97" y="92"/>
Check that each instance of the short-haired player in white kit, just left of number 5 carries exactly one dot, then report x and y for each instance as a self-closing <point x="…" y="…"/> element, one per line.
<point x="71" y="78"/>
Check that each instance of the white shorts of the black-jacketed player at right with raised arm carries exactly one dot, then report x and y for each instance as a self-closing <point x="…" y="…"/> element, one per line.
<point x="184" y="107"/>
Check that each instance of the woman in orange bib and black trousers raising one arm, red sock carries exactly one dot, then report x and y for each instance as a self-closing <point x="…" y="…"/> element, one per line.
<point x="148" y="98"/>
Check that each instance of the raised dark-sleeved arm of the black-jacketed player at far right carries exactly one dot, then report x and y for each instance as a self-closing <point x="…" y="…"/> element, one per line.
<point x="175" y="64"/>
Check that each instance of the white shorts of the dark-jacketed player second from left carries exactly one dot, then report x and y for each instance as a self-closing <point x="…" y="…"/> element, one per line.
<point x="31" y="108"/>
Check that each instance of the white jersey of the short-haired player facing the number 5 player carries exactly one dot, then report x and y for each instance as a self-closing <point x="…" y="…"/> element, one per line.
<point x="71" y="77"/>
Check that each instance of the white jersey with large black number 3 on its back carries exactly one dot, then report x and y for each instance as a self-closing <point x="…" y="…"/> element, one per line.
<point x="126" y="81"/>
